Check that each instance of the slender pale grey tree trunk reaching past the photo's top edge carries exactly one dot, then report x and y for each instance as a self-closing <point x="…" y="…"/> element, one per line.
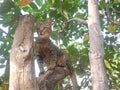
<point x="96" y="53"/>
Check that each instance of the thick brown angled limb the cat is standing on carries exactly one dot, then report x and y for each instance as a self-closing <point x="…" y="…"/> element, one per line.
<point x="51" y="78"/>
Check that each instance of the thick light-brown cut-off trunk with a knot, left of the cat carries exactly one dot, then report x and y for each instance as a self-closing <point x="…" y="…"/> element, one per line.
<point x="21" y="57"/>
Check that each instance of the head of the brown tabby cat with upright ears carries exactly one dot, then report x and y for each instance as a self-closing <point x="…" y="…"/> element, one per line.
<point x="44" y="30"/>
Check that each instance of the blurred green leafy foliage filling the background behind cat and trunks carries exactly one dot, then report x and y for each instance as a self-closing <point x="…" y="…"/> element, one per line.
<point x="68" y="33"/>
